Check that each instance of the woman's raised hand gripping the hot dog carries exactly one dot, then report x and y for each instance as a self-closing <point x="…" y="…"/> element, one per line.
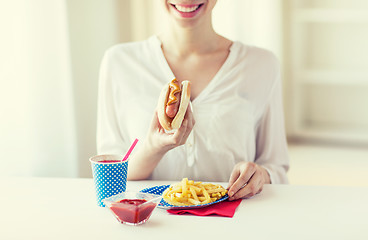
<point x="161" y="141"/>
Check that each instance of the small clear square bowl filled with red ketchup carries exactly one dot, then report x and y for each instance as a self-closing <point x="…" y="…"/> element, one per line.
<point x="132" y="208"/>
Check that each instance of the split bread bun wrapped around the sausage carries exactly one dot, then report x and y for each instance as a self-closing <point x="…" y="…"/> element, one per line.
<point x="173" y="123"/>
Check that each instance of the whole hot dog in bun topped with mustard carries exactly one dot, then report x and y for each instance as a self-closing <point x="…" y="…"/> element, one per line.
<point x="173" y="103"/>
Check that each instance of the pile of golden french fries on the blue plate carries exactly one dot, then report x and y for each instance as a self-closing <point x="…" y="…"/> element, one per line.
<point x="187" y="192"/>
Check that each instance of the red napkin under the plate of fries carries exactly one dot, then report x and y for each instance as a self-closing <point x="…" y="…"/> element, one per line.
<point x="224" y="209"/>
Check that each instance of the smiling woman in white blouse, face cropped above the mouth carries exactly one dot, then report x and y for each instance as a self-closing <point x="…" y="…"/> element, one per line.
<point x="234" y="129"/>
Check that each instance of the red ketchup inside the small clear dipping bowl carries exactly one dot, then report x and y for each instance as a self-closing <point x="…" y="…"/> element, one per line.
<point x="132" y="210"/>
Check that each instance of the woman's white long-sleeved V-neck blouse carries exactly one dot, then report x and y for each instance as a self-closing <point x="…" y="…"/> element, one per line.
<point x="239" y="115"/>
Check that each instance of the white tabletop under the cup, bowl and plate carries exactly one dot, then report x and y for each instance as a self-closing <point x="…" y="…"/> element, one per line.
<point x="49" y="208"/>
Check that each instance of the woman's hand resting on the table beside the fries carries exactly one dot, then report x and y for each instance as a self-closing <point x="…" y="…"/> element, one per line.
<point x="246" y="180"/>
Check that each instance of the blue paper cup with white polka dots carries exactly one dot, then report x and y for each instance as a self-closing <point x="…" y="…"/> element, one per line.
<point x="109" y="175"/>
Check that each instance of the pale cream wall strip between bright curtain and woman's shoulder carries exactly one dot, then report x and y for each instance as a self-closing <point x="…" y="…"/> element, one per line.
<point x="93" y="27"/>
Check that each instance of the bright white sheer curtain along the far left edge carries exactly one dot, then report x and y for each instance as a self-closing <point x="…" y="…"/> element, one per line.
<point x="36" y="101"/>
